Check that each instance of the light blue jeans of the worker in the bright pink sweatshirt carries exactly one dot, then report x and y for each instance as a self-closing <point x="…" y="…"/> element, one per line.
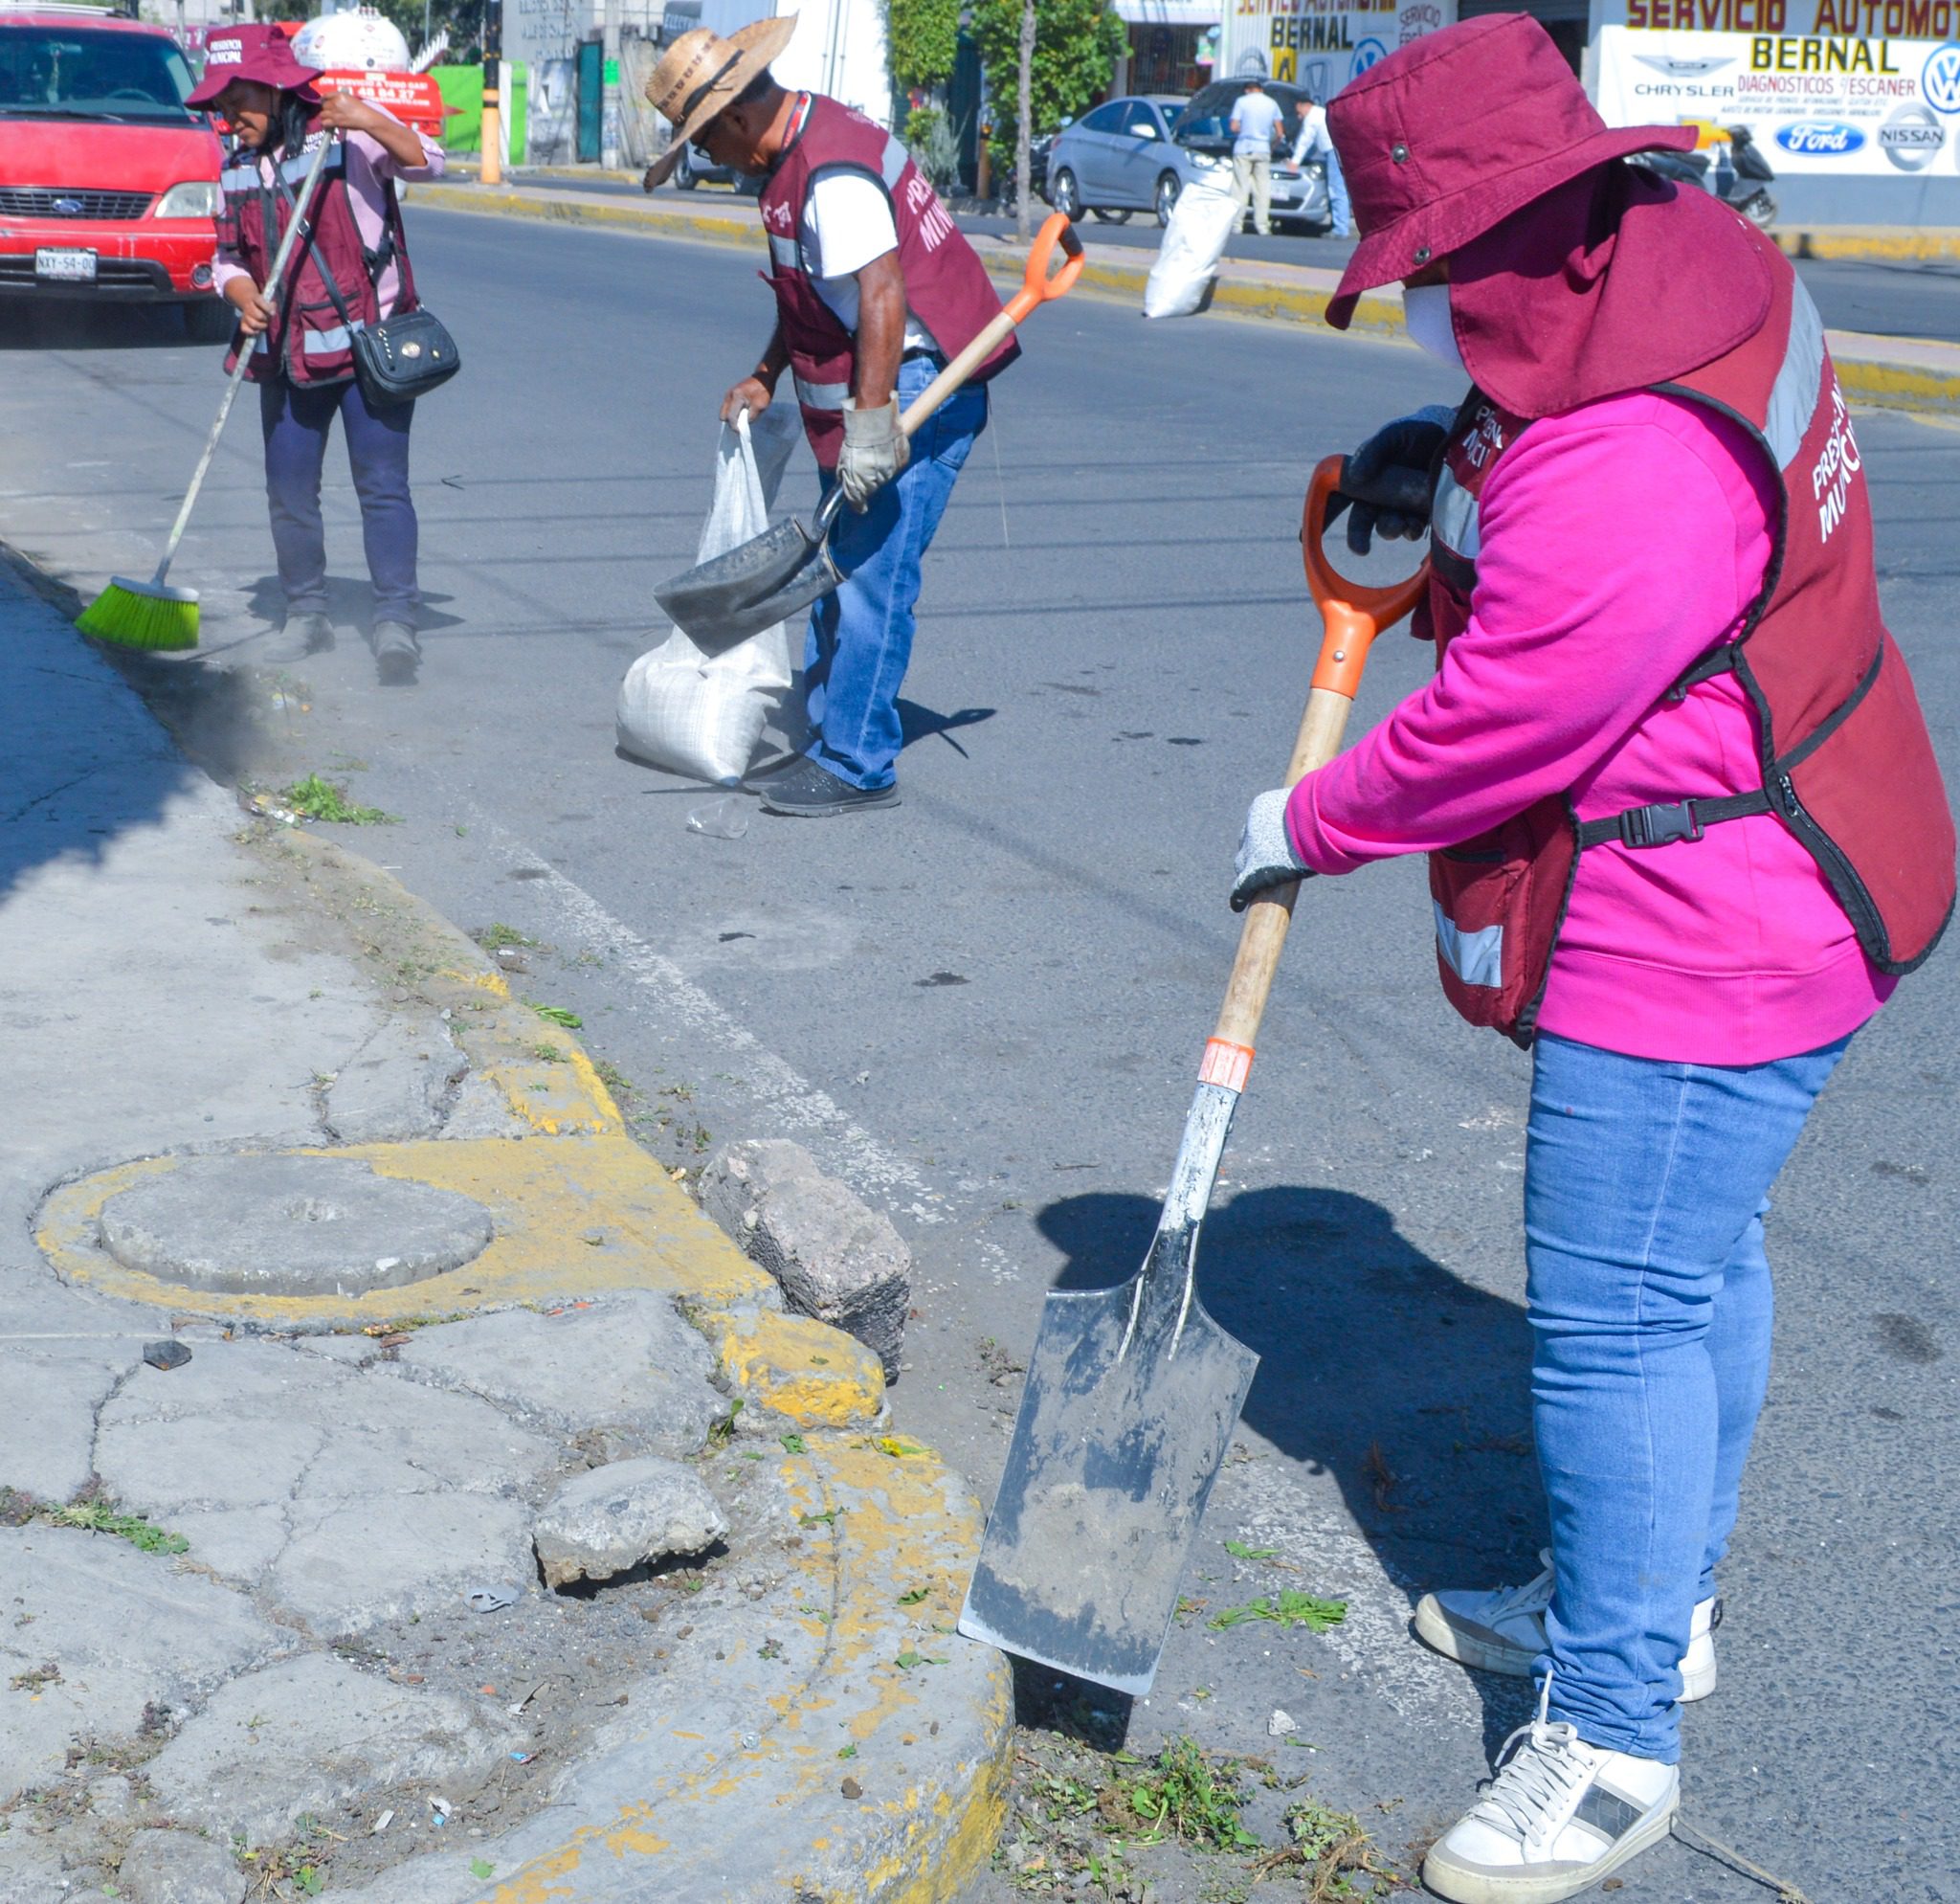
<point x="1649" y="1301"/>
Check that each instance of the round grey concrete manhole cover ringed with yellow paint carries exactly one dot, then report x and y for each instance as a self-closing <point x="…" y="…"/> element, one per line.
<point x="291" y="1227"/>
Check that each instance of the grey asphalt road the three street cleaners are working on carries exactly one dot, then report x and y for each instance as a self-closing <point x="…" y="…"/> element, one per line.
<point x="987" y="1007"/>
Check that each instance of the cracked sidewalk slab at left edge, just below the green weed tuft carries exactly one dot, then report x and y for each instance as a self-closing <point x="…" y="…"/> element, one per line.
<point x="130" y="1632"/>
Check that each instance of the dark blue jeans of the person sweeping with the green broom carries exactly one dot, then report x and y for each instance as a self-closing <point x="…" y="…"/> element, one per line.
<point x="297" y="425"/>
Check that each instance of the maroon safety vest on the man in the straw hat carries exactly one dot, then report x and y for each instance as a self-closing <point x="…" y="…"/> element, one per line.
<point x="948" y="287"/>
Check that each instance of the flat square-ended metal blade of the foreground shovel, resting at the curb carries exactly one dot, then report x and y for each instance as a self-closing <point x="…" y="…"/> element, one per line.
<point x="1130" y="1407"/>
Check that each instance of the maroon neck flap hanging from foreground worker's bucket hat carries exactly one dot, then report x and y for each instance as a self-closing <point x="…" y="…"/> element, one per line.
<point x="1610" y="283"/>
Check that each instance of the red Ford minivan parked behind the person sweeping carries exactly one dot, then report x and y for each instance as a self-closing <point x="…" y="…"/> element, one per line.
<point x="109" y="181"/>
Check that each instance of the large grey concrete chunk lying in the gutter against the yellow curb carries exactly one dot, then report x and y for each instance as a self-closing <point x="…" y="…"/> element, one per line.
<point x="832" y="1254"/>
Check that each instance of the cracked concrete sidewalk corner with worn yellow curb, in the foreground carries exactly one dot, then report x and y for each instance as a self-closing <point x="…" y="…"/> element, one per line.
<point x="340" y="1315"/>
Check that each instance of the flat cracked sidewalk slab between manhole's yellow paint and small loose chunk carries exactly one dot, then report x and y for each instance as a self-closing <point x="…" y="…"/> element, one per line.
<point x="626" y="1364"/>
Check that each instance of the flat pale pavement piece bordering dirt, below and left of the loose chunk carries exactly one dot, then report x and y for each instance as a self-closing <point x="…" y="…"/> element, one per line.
<point x="315" y="1734"/>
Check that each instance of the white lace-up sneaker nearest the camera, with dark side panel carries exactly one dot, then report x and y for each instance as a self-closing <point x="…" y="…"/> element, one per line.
<point x="1559" y="1817"/>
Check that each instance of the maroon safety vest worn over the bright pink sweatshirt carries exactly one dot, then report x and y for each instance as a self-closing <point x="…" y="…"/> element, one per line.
<point x="1845" y="758"/>
